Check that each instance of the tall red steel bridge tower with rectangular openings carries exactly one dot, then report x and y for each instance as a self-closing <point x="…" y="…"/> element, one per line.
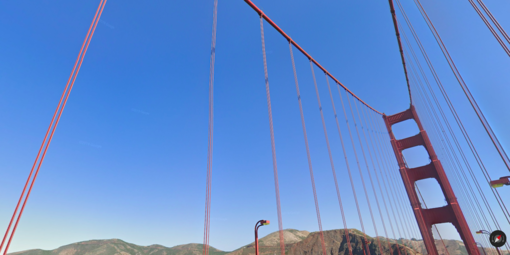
<point x="450" y="213"/>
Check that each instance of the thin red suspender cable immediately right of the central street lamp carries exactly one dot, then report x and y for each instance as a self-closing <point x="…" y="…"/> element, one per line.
<point x="273" y="148"/>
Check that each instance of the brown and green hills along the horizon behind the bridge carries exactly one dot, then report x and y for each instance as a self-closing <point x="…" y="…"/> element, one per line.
<point x="296" y="243"/>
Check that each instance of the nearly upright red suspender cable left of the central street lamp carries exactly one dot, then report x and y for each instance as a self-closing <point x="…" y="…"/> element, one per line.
<point x="207" y="221"/>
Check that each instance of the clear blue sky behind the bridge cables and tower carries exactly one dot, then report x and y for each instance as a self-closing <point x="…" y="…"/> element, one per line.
<point x="128" y="159"/>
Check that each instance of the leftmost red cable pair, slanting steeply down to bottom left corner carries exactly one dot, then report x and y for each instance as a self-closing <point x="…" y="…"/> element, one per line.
<point x="52" y="127"/>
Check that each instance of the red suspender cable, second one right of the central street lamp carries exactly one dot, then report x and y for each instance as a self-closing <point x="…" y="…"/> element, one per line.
<point x="308" y="152"/>
